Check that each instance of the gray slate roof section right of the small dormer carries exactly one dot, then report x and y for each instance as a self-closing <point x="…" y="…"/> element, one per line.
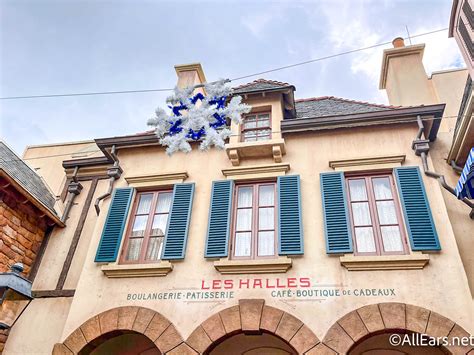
<point x="334" y="106"/>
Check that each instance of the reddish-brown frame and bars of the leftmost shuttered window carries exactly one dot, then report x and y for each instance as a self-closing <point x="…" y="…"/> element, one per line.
<point x="147" y="234"/>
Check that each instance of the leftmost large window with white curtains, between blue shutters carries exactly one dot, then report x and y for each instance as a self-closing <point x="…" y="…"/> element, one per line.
<point x="144" y="241"/>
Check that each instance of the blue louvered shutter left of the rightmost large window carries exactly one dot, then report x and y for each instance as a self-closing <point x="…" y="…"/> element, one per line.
<point x="337" y="228"/>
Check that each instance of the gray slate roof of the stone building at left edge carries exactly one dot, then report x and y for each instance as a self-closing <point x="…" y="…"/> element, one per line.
<point x="17" y="169"/>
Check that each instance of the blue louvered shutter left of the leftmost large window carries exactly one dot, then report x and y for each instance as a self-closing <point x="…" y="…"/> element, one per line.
<point x="114" y="225"/>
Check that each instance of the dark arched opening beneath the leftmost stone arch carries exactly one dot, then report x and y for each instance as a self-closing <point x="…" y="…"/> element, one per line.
<point x="121" y="343"/>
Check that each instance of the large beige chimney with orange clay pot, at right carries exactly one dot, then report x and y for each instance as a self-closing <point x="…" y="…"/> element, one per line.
<point x="403" y="75"/>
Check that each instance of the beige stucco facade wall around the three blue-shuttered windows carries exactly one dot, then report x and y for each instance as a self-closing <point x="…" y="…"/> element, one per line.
<point x="308" y="154"/>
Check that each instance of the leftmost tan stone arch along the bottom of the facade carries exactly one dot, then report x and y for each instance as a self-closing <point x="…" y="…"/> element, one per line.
<point x="135" y="319"/>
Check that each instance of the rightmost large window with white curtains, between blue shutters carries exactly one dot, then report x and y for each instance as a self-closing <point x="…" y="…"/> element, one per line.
<point x="375" y="215"/>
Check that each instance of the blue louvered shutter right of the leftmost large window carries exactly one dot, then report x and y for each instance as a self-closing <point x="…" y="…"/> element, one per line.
<point x="178" y="222"/>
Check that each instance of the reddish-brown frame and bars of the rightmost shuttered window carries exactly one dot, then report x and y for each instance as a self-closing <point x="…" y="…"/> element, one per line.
<point x="376" y="225"/>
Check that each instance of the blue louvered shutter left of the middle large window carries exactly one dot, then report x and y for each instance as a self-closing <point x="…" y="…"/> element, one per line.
<point x="218" y="231"/>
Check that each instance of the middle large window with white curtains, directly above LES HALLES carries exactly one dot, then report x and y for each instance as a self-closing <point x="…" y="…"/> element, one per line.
<point x="254" y="221"/>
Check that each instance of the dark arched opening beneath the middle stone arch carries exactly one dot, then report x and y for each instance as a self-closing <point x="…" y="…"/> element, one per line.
<point x="252" y="344"/>
